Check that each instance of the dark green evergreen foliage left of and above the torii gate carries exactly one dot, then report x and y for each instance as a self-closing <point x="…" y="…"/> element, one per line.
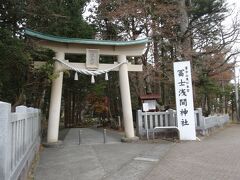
<point x="20" y="82"/>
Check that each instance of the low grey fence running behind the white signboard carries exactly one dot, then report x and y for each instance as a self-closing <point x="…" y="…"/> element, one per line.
<point x="148" y="121"/>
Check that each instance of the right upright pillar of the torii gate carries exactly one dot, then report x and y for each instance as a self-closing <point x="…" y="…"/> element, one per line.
<point x="126" y="99"/>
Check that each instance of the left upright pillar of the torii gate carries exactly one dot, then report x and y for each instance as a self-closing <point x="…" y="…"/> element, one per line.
<point x="55" y="102"/>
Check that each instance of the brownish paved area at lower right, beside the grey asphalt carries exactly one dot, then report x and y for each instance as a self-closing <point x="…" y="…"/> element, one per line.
<point x="217" y="157"/>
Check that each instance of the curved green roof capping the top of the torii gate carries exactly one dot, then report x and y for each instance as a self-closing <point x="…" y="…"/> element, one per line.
<point x="48" y="37"/>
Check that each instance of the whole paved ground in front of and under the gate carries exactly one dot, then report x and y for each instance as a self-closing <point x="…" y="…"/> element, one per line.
<point x="215" y="157"/>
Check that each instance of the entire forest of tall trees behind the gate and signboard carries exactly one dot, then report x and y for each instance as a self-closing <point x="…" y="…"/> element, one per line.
<point x="178" y="30"/>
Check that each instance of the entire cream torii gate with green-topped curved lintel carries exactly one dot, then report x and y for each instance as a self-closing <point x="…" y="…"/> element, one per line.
<point x="62" y="45"/>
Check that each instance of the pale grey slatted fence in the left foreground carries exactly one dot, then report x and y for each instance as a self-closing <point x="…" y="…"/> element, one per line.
<point x="19" y="140"/>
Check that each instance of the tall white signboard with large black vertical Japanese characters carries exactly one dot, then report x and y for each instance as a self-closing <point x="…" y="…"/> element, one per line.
<point x="184" y="100"/>
